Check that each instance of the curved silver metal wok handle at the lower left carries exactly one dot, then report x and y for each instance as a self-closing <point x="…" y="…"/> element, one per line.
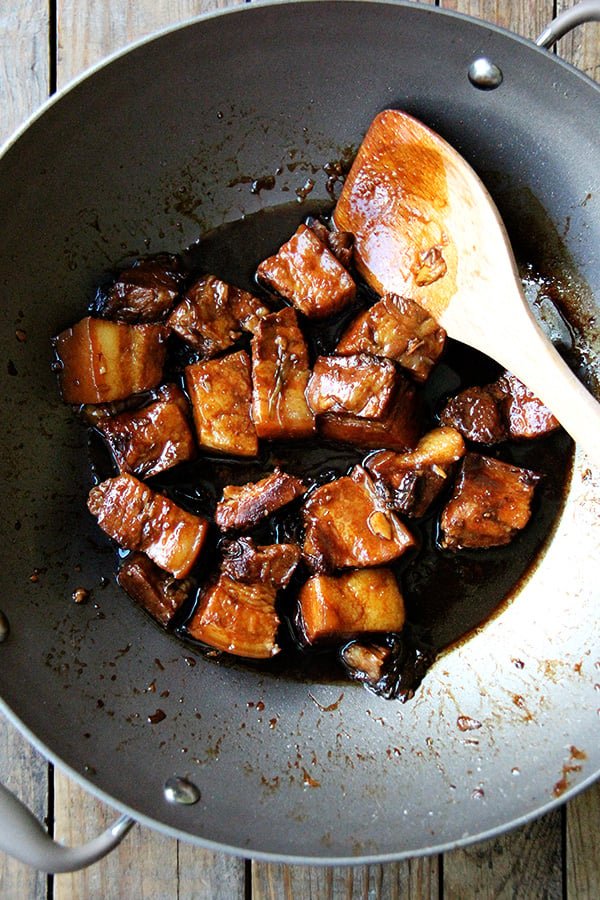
<point x="24" y="838"/>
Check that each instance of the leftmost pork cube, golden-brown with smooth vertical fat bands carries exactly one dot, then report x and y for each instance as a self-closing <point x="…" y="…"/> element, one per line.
<point x="100" y="361"/>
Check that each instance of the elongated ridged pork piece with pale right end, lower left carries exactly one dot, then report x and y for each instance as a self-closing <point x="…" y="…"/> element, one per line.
<point x="138" y="518"/>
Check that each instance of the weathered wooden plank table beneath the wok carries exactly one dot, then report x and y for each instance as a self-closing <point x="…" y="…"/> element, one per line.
<point x="43" y="44"/>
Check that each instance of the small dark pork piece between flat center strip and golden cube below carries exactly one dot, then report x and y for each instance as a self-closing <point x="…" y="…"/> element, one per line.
<point x="269" y="564"/>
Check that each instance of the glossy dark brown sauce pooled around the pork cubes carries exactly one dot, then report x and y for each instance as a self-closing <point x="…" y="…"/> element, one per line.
<point x="447" y="594"/>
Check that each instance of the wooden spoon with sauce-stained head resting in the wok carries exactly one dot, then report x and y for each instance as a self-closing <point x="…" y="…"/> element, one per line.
<point x="426" y="227"/>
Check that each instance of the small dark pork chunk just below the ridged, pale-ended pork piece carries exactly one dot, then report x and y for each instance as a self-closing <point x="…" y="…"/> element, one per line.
<point x="161" y="595"/>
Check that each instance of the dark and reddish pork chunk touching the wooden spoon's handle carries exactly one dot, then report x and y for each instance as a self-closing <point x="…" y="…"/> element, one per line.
<point x="505" y="409"/>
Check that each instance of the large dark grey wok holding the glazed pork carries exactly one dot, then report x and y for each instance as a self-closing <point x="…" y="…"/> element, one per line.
<point x="149" y="151"/>
